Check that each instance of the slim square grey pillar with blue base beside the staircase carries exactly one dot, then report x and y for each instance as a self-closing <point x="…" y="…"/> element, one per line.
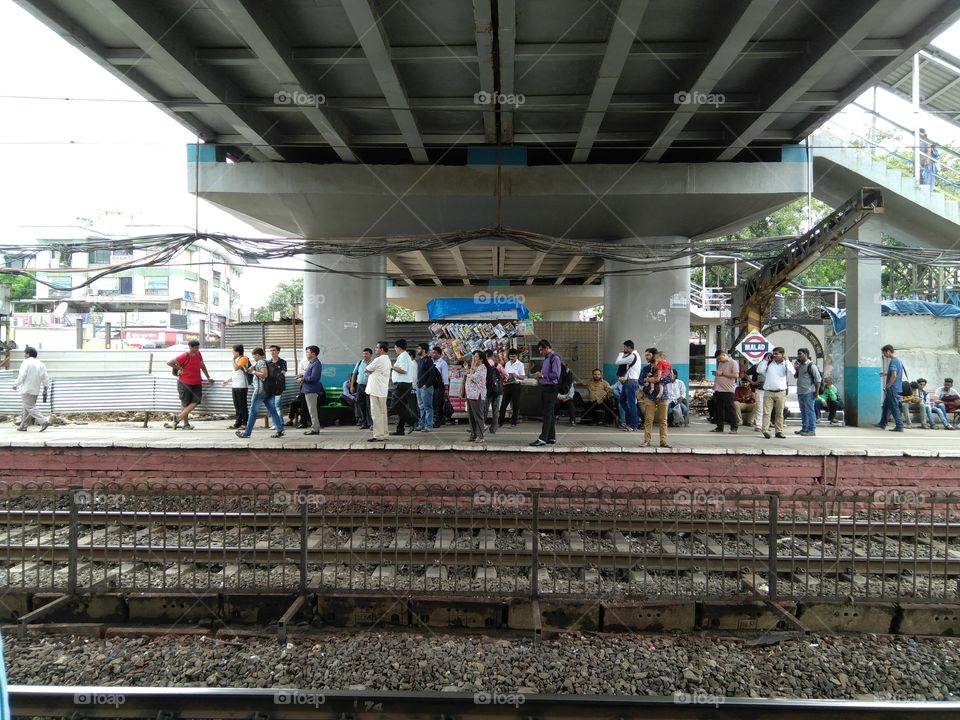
<point x="861" y="351"/>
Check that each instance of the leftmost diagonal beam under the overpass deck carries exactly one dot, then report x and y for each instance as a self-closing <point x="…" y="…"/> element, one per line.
<point x="151" y="31"/>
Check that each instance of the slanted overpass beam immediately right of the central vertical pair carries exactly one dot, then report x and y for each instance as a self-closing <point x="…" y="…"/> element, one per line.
<point x="622" y="34"/>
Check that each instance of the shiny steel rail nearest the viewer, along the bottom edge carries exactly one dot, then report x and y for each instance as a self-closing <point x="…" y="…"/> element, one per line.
<point x="279" y="704"/>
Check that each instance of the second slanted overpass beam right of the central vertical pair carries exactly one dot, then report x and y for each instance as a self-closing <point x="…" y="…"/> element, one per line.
<point x="712" y="71"/>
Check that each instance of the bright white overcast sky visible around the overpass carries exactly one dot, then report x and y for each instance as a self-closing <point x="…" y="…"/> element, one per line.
<point x="65" y="159"/>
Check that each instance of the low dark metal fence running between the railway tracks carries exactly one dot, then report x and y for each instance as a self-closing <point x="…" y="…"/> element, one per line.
<point x="471" y="540"/>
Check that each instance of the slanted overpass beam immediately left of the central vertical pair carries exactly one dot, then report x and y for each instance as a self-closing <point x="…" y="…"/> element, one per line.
<point x="373" y="39"/>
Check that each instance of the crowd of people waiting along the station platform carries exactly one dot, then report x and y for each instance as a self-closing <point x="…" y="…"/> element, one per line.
<point x="646" y="388"/>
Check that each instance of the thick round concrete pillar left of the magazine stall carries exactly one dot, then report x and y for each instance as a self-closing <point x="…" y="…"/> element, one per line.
<point x="342" y="314"/>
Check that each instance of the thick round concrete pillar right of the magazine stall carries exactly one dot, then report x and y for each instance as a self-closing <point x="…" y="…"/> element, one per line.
<point x="652" y="310"/>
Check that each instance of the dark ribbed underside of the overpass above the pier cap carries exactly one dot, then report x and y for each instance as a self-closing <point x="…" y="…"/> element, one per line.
<point x="581" y="81"/>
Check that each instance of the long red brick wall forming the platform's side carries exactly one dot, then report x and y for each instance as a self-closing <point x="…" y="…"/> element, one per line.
<point x="83" y="466"/>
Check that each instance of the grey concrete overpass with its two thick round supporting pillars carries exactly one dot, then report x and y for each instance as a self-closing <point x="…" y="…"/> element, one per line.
<point x="577" y="119"/>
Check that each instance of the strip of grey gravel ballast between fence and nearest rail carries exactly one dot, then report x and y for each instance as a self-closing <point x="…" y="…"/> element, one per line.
<point x="859" y="668"/>
